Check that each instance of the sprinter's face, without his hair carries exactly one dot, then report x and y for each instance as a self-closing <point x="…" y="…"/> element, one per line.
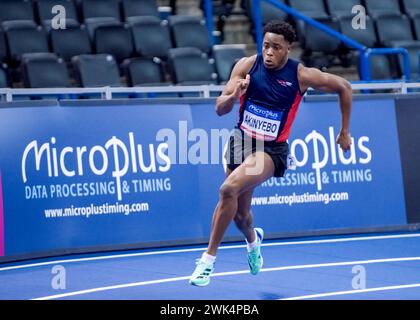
<point x="275" y="50"/>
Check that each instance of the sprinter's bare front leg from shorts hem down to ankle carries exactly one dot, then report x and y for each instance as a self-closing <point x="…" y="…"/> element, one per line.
<point x="241" y="180"/>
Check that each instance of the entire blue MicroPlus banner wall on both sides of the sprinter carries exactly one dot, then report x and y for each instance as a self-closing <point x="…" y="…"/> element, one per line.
<point x="82" y="177"/>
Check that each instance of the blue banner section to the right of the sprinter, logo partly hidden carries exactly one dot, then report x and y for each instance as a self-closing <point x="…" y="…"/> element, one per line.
<point x="330" y="189"/>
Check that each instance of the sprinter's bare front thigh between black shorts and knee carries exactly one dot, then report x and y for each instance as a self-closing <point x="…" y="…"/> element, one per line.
<point x="256" y="168"/>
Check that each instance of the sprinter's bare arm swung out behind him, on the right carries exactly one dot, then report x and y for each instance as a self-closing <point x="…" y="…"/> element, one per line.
<point x="314" y="78"/>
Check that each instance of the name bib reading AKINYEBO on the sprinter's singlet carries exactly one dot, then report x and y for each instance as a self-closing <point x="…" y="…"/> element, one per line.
<point x="261" y="123"/>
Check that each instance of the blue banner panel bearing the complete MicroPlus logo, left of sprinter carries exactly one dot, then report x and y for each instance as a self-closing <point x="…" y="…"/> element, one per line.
<point x="76" y="177"/>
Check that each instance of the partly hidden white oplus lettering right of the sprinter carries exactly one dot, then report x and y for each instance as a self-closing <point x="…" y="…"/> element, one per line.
<point x="325" y="150"/>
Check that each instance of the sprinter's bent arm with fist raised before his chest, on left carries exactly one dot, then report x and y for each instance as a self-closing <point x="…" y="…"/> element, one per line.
<point x="236" y="86"/>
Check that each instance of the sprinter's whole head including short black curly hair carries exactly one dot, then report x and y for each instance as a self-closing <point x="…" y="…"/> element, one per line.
<point x="277" y="41"/>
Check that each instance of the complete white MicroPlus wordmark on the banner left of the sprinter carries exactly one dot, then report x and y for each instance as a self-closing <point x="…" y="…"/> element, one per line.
<point x="58" y="160"/>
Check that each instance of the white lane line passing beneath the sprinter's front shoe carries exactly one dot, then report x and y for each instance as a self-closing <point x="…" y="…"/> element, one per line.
<point x="230" y="273"/>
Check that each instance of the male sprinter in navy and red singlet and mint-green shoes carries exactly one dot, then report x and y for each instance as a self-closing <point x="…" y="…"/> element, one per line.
<point x="270" y="87"/>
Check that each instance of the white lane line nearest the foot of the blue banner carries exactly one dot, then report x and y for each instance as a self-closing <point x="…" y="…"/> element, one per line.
<point x="303" y="242"/>
